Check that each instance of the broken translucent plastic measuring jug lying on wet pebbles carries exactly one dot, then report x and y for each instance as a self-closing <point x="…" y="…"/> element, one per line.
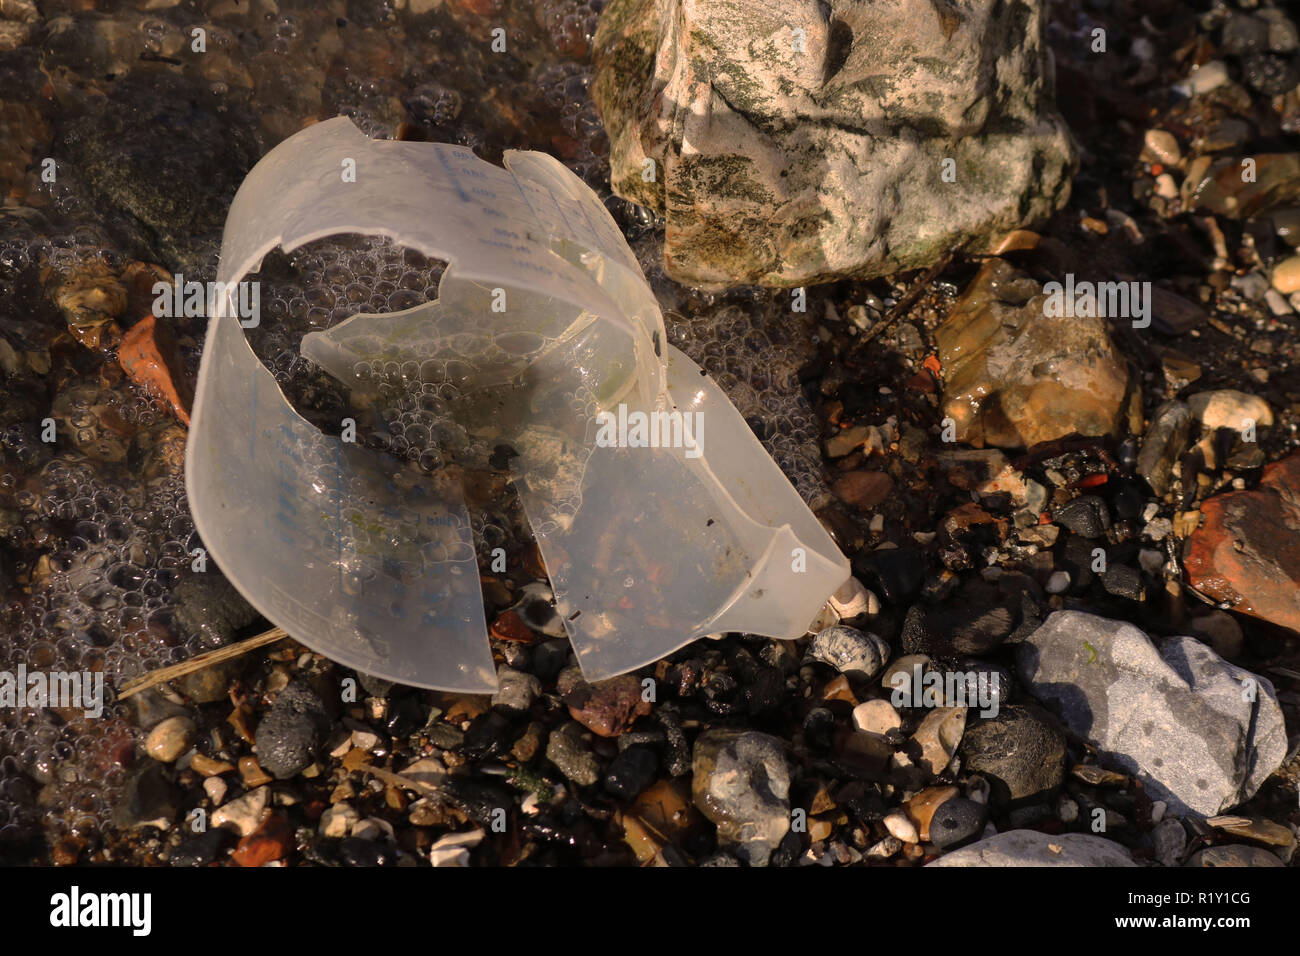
<point x="545" y="338"/>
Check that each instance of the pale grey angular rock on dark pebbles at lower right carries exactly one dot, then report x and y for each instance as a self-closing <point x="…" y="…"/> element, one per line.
<point x="1202" y="734"/>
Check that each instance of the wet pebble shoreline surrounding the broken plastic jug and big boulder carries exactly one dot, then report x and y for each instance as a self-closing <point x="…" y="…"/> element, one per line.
<point x="735" y="751"/>
